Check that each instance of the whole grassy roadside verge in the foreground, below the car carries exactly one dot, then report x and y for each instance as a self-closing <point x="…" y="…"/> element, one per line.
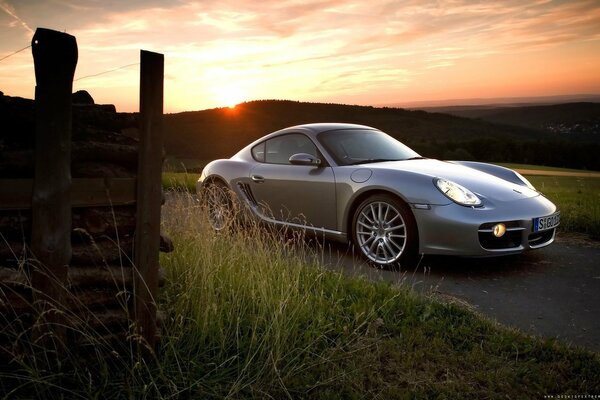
<point x="251" y="314"/>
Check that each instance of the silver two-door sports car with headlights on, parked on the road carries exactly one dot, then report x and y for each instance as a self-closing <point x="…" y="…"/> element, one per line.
<point x="353" y="182"/>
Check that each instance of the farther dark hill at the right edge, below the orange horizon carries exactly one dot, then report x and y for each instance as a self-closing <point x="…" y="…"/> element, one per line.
<point x="577" y="121"/>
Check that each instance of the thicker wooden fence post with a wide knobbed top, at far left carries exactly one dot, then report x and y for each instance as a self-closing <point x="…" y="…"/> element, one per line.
<point x="55" y="58"/>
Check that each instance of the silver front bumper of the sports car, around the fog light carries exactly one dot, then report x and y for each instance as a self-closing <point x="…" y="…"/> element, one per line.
<point x="456" y="230"/>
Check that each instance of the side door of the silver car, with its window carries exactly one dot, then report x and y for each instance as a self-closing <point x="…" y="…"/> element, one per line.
<point x="299" y="194"/>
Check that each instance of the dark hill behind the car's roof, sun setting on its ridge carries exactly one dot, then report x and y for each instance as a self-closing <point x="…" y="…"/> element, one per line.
<point x="221" y="132"/>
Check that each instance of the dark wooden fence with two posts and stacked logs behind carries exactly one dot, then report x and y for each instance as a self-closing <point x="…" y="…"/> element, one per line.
<point x="80" y="224"/>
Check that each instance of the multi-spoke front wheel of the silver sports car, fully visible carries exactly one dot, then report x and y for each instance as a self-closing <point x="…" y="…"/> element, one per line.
<point x="385" y="231"/>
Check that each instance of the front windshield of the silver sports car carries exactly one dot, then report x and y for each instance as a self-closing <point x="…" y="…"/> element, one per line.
<point x="359" y="146"/>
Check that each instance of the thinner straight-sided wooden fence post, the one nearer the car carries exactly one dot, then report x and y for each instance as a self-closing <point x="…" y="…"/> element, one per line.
<point x="149" y="194"/>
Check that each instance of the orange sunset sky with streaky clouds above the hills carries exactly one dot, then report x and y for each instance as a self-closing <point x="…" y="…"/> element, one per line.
<point x="377" y="52"/>
